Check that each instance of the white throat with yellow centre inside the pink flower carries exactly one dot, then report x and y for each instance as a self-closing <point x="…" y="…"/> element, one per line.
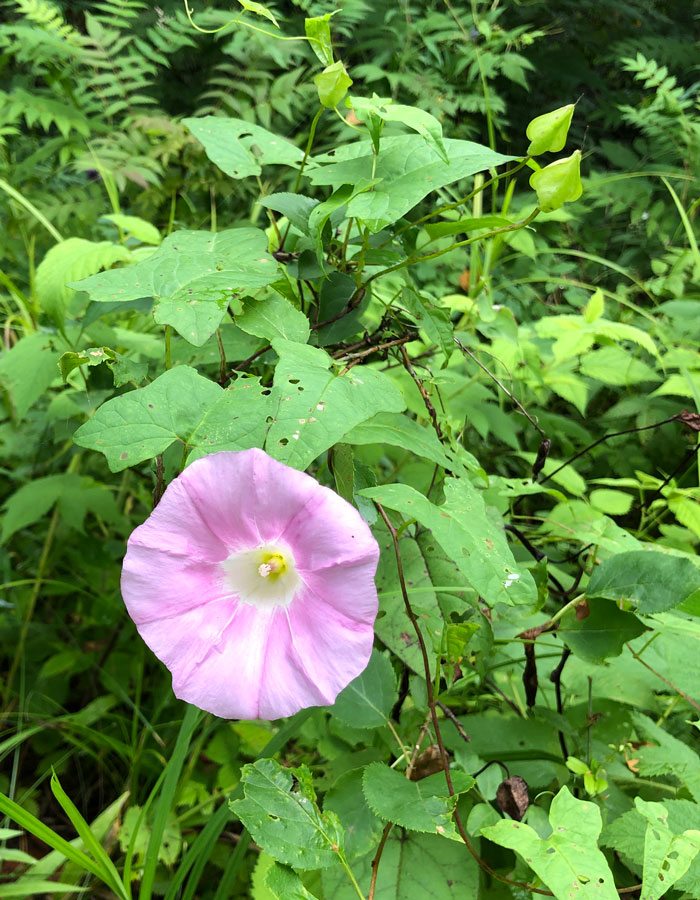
<point x="265" y="577"/>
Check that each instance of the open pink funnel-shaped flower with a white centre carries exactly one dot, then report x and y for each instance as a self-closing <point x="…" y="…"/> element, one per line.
<point x="254" y="585"/>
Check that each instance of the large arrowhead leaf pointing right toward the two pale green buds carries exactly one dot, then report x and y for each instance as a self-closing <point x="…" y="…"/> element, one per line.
<point x="408" y="167"/>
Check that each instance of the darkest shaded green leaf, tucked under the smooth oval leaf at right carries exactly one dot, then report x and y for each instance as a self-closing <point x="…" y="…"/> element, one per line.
<point x="602" y="633"/>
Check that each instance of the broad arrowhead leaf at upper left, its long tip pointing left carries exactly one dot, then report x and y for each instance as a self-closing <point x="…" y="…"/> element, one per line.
<point x="193" y="275"/>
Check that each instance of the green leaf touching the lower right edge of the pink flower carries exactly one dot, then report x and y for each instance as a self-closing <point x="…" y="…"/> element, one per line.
<point x="368" y="700"/>
